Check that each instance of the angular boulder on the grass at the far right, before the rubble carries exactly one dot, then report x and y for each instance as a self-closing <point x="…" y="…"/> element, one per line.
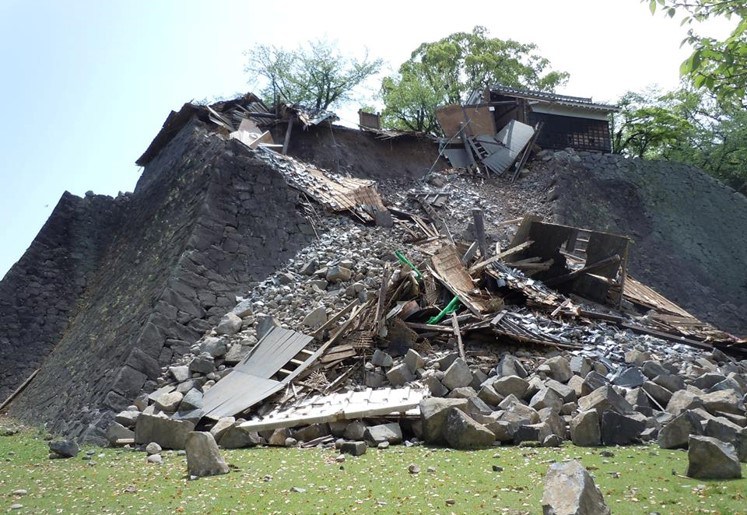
<point x="709" y="458"/>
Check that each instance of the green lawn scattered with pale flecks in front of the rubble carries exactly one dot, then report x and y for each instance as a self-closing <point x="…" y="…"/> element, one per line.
<point x="267" y="480"/>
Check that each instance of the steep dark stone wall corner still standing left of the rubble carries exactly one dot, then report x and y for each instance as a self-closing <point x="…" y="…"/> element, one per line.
<point x="205" y="220"/>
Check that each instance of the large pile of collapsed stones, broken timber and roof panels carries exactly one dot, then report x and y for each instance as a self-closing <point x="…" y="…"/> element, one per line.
<point x="411" y="333"/>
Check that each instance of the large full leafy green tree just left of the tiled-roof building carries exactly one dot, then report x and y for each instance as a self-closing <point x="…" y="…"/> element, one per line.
<point x="448" y="70"/>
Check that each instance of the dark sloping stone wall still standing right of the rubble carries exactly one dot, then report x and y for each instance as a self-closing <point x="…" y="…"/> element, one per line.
<point x="686" y="226"/>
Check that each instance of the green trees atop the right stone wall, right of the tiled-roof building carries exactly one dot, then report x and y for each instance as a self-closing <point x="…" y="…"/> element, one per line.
<point x="688" y="126"/>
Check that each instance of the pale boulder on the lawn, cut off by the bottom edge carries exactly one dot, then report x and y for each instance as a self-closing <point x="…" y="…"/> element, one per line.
<point x="570" y="490"/>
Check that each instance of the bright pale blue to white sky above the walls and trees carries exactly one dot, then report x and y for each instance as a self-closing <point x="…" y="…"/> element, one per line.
<point x="87" y="83"/>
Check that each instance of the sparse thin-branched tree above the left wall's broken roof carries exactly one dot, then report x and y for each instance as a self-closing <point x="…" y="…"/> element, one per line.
<point x="316" y="75"/>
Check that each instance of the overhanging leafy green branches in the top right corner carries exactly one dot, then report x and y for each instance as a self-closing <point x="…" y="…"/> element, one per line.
<point x="719" y="66"/>
